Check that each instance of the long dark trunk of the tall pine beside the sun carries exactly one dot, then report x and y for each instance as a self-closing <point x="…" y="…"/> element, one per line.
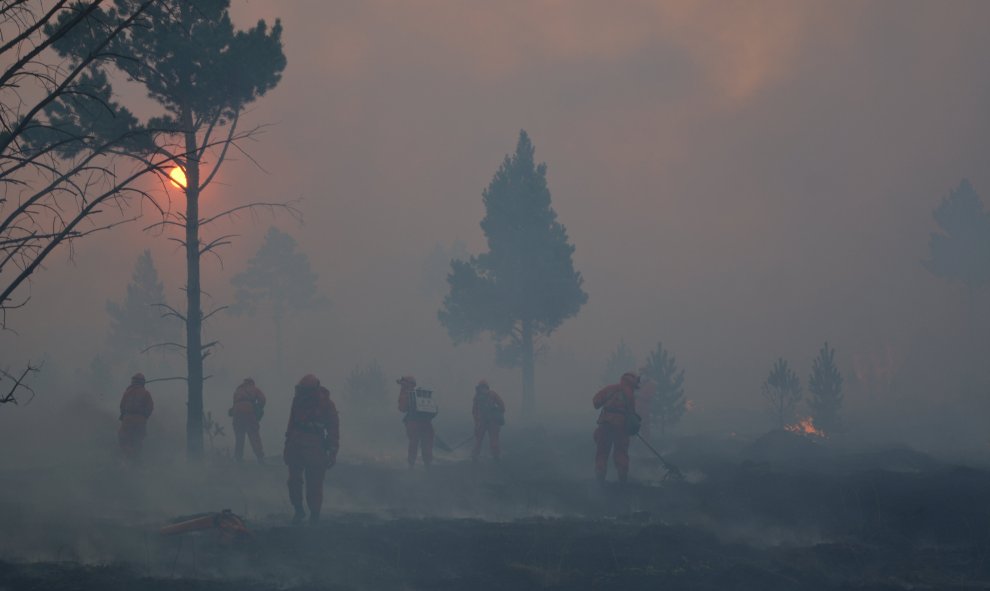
<point x="194" y="312"/>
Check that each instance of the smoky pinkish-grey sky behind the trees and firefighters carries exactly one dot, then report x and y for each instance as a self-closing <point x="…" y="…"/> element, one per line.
<point x="740" y="183"/>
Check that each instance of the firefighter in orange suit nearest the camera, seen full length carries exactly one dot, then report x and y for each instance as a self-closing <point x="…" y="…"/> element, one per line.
<point x="311" y="443"/>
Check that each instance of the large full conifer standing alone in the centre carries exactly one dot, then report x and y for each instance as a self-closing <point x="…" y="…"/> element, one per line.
<point x="525" y="286"/>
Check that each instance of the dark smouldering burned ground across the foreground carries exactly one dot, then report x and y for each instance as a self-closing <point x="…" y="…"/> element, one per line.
<point x="776" y="512"/>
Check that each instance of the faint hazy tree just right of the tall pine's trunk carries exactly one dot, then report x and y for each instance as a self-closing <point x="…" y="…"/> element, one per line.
<point x="279" y="277"/>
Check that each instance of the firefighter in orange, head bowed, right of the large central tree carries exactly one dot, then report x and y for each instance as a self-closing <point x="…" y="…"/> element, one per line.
<point x="611" y="436"/>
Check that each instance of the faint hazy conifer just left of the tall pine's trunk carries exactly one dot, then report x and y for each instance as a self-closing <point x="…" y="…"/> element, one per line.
<point x="137" y="323"/>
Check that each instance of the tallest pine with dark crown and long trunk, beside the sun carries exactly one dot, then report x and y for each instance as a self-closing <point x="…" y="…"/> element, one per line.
<point x="203" y="73"/>
